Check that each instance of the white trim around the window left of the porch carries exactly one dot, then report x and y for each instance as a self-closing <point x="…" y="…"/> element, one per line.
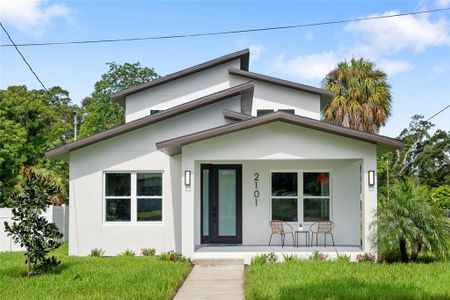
<point x="133" y="197"/>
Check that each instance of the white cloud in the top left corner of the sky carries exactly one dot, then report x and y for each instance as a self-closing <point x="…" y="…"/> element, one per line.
<point x="31" y="16"/>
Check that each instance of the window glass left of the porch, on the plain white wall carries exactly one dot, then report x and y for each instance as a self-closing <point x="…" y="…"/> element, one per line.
<point x="133" y="197"/>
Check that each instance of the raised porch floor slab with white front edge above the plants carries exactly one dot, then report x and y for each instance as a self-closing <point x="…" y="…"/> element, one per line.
<point x="246" y="252"/>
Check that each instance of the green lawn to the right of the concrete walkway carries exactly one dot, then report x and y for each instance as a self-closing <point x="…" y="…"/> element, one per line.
<point x="340" y="280"/>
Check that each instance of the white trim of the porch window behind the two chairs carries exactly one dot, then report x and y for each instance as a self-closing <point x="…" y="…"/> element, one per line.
<point x="300" y="194"/>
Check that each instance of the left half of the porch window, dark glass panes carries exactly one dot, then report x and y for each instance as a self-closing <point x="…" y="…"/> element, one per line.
<point x="284" y="196"/>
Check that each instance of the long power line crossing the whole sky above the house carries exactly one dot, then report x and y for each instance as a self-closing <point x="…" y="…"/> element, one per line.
<point x="133" y="39"/>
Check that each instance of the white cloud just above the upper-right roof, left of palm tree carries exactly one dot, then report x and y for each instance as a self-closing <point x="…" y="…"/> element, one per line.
<point x="307" y="67"/>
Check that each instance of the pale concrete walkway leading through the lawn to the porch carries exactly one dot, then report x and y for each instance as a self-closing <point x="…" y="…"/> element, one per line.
<point x="214" y="279"/>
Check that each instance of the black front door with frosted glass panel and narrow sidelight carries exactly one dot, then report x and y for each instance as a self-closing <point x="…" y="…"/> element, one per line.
<point x="221" y="204"/>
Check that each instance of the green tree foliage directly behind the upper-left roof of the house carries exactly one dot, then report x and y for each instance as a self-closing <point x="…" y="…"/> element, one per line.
<point x="101" y="112"/>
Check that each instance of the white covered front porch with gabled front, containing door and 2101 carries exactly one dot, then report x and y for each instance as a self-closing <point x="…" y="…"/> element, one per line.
<point x="239" y="182"/>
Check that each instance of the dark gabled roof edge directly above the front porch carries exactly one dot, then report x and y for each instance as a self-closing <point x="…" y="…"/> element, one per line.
<point x="173" y="146"/>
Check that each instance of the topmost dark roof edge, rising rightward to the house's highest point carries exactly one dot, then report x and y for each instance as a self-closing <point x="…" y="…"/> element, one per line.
<point x="243" y="55"/>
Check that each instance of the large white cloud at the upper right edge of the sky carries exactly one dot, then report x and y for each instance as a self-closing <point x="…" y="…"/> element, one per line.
<point x="391" y="35"/>
